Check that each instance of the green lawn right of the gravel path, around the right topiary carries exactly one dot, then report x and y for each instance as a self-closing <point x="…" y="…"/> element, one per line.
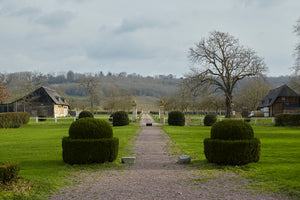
<point x="278" y="169"/>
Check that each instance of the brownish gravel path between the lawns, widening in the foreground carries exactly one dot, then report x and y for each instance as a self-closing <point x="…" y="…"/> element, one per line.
<point x="156" y="175"/>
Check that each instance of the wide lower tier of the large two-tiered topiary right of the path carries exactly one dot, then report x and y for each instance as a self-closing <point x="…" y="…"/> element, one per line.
<point x="232" y="152"/>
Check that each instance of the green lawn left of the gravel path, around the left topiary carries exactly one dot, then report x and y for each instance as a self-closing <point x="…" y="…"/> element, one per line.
<point x="38" y="149"/>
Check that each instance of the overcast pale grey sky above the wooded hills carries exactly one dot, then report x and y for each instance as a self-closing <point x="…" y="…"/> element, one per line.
<point x="138" y="36"/>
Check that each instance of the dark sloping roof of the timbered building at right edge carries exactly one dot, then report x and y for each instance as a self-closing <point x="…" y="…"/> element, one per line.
<point x="282" y="91"/>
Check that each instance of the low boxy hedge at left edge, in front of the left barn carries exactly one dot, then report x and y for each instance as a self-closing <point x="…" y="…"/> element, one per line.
<point x="13" y="119"/>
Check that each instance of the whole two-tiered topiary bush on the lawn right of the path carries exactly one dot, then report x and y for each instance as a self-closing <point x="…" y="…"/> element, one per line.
<point x="232" y="142"/>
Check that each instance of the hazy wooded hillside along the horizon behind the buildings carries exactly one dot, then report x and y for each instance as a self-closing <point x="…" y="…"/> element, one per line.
<point x="112" y="86"/>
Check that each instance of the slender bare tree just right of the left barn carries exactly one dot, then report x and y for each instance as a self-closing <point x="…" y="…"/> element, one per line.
<point x="91" y="85"/>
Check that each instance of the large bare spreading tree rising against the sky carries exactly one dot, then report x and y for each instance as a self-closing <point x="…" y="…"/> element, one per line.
<point x="223" y="62"/>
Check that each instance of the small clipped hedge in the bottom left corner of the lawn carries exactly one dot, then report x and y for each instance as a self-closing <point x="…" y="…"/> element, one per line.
<point x="9" y="170"/>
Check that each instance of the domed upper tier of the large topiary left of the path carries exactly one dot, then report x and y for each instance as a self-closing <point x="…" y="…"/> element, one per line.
<point x="90" y="128"/>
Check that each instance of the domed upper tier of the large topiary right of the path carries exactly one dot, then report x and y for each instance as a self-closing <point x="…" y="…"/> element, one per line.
<point x="232" y="130"/>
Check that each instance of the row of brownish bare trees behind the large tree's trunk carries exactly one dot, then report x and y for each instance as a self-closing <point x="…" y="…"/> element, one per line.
<point x="249" y="94"/>
